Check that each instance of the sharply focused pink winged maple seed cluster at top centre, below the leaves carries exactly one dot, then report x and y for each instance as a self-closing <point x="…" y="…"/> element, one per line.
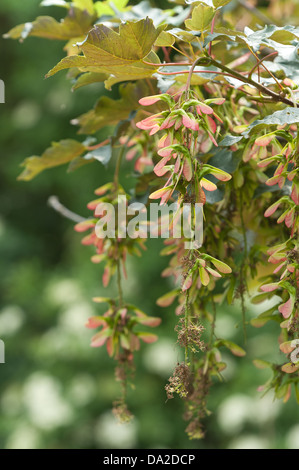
<point x="177" y="148"/>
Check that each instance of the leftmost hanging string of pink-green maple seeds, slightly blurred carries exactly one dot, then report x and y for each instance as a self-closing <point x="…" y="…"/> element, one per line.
<point x="117" y="324"/>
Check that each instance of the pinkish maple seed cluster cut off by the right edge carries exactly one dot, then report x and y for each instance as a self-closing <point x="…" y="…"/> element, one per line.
<point x="284" y="255"/>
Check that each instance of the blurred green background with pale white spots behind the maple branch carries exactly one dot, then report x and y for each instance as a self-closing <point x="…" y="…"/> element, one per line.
<point x="56" y="391"/>
